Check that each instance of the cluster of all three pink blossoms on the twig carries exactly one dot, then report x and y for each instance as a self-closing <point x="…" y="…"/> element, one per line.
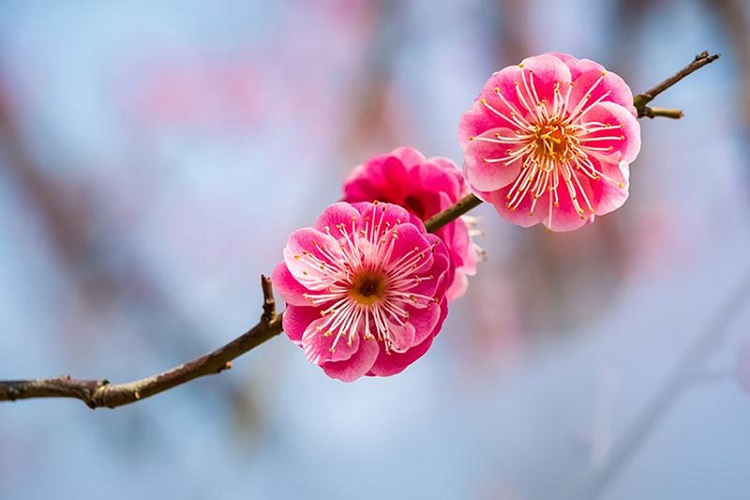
<point x="367" y="286"/>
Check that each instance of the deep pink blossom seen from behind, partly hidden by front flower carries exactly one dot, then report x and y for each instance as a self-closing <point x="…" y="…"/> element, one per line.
<point x="424" y="187"/>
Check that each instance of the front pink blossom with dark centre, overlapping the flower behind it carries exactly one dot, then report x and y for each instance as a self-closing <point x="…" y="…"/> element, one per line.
<point x="365" y="289"/>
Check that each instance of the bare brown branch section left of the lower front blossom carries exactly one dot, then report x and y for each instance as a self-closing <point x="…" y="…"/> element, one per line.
<point x="100" y="393"/>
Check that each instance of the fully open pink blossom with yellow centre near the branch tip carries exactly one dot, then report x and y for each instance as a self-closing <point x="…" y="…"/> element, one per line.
<point x="550" y="141"/>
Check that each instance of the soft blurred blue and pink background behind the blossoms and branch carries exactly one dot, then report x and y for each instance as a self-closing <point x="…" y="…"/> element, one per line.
<point x="154" y="156"/>
